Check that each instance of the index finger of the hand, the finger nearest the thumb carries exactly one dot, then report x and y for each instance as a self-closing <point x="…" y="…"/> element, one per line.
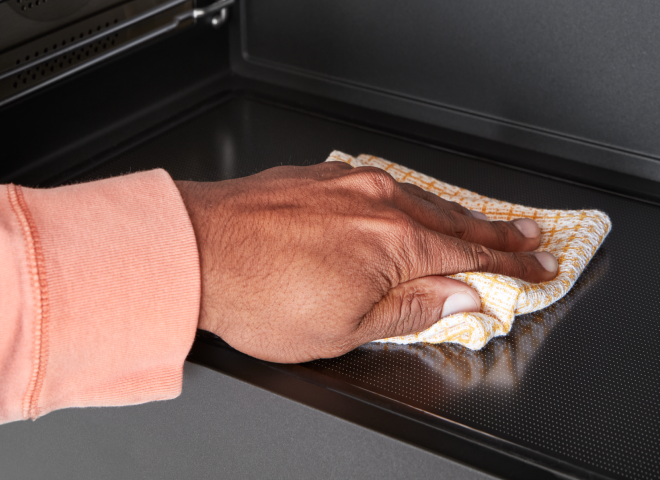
<point x="423" y="252"/>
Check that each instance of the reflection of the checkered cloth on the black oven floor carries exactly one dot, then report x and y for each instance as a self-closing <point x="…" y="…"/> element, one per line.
<point x="500" y="365"/>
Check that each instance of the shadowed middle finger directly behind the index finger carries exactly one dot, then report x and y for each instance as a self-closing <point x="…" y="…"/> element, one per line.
<point x="435" y="213"/>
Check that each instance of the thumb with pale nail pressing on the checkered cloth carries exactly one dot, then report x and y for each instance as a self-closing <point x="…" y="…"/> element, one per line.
<point x="416" y="305"/>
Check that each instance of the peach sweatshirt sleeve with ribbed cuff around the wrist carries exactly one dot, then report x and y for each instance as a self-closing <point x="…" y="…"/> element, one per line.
<point x="99" y="294"/>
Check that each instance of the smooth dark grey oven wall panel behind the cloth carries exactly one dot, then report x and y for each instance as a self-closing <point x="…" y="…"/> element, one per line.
<point x="572" y="78"/>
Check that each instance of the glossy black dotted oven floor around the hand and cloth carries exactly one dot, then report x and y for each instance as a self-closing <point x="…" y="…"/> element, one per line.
<point x="577" y="383"/>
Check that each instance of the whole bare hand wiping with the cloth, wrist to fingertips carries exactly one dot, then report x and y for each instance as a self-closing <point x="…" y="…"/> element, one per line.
<point x="300" y="263"/>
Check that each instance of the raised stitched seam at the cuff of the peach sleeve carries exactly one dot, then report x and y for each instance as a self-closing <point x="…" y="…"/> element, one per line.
<point x="36" y="269"/>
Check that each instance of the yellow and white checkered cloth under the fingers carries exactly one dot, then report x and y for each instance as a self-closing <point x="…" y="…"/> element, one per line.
<point x="572" y="236"/>
